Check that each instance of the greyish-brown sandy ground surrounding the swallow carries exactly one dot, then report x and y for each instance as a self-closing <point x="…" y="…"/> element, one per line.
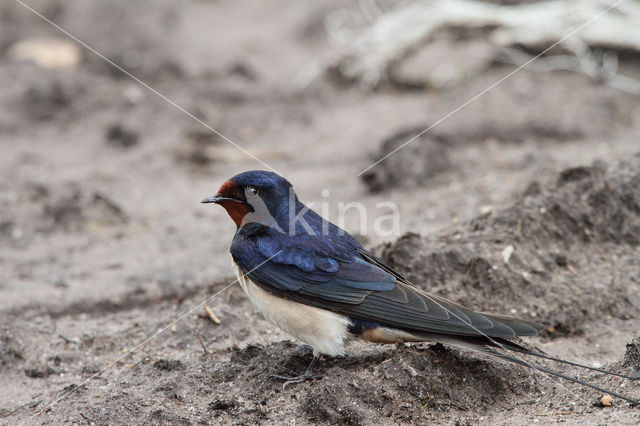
<point x="104" y="241"/>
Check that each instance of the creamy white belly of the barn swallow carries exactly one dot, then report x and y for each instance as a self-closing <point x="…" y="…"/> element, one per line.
<point x="323" y="330"/>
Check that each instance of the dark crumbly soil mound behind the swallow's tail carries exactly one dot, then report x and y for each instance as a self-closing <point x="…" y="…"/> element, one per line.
<point x="563" y="254"/>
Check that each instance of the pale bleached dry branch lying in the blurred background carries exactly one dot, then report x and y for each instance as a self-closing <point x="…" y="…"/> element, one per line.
<point x="393" y="36"/>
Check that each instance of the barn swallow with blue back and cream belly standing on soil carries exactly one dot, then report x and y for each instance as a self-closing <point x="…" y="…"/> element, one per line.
<point x="320" y="285"/>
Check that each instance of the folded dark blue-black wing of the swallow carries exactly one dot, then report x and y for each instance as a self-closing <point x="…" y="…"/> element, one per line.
<point x="366" y="289"/>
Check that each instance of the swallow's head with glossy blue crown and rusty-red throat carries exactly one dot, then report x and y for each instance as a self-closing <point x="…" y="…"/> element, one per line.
<point x="256" y="196"/>
